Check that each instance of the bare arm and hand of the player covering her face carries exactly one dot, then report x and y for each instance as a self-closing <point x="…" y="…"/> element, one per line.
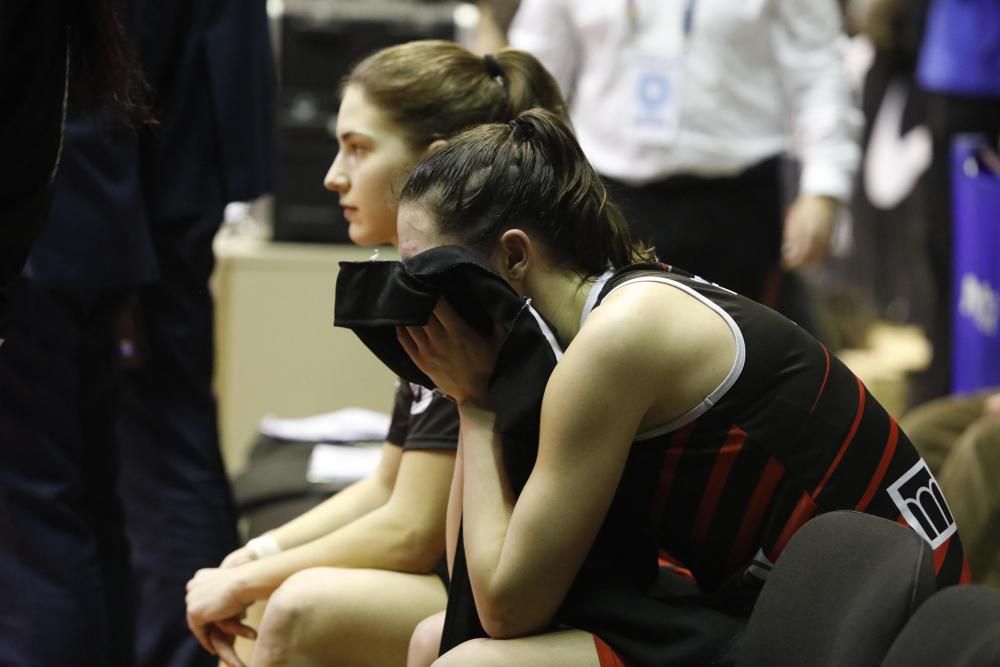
<point x="524" y="553"/>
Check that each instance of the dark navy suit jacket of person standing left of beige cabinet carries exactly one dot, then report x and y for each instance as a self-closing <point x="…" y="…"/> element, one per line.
<point x="212" y="143"/>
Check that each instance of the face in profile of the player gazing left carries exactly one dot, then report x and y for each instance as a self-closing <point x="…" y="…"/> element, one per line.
<point x="373" y="156"/>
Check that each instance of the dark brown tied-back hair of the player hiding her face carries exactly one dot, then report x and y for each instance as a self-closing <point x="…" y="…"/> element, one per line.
<point x="528" y="173"/>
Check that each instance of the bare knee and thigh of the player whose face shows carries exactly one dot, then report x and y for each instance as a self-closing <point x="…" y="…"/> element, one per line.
<point x="339" y="616"/>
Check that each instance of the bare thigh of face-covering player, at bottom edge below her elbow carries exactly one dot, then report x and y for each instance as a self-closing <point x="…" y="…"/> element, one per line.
<point x="565" y="648"/>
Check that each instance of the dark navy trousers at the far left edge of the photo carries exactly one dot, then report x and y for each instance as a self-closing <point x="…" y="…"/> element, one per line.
<point x="64" y="563"/>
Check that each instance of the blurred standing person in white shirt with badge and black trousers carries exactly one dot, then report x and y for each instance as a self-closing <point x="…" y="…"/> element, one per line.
<point x="686" y="109"/>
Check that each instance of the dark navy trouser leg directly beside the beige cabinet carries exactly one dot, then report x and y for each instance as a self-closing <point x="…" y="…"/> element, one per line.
<point x="177" y="496"/>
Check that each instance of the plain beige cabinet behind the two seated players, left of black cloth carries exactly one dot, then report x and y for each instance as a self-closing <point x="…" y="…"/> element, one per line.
<point x="277" y="351"/>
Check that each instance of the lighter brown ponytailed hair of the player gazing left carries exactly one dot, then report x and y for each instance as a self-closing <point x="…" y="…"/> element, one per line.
<point x="432" y="89"/>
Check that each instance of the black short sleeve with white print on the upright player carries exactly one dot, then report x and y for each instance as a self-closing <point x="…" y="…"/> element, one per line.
<point x="422" y="419"/>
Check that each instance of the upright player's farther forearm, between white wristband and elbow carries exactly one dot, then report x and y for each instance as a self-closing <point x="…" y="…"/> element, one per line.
<point x="350" y="504"/>
